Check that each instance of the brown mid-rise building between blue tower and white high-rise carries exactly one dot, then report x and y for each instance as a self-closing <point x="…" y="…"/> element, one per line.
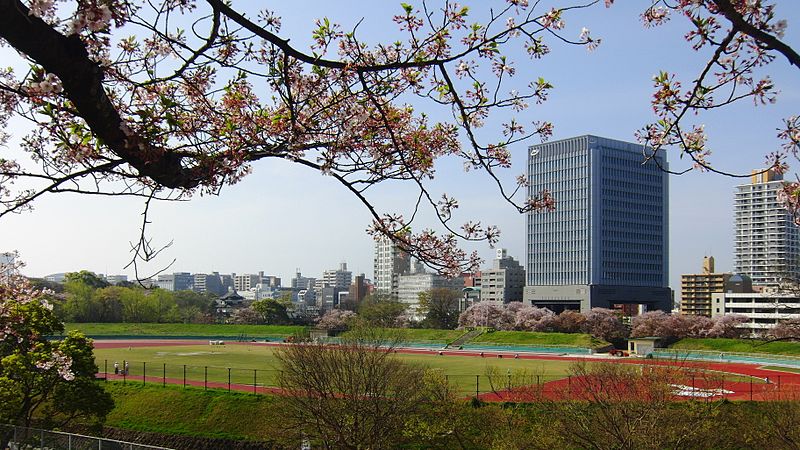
<point x="697" y="288"/>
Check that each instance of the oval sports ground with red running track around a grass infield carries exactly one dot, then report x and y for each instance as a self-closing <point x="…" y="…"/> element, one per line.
<point x="491" y="374"/>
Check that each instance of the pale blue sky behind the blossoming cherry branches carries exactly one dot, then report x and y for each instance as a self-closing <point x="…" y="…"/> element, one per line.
<point x="284" y="217"/>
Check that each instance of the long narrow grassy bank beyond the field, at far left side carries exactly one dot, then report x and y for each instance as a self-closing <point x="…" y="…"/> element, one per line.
<point x="182" y="329"/>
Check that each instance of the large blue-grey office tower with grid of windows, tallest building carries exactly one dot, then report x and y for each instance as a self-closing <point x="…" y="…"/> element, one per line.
<point x="606" y="244"/>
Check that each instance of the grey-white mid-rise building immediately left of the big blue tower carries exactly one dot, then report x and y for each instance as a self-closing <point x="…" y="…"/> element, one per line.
<point x="505" y="281"/>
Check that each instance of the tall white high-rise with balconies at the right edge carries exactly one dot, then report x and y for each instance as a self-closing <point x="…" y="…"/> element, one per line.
<point x="767" y="241"/>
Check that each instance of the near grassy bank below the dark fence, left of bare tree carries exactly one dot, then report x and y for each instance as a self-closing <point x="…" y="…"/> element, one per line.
<point x="192" y="412"/>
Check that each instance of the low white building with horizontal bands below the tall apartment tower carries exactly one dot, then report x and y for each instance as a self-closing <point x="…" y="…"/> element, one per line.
<point x="763" y="309"/>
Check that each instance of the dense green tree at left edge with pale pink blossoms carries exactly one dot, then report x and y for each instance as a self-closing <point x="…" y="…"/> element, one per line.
<point x="52" y="381"/>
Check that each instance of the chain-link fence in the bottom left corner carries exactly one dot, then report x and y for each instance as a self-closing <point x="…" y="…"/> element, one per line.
<point x="23" y="438"/>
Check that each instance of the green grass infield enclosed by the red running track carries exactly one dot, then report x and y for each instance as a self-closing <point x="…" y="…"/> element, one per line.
<point x="257" y="363"/>
